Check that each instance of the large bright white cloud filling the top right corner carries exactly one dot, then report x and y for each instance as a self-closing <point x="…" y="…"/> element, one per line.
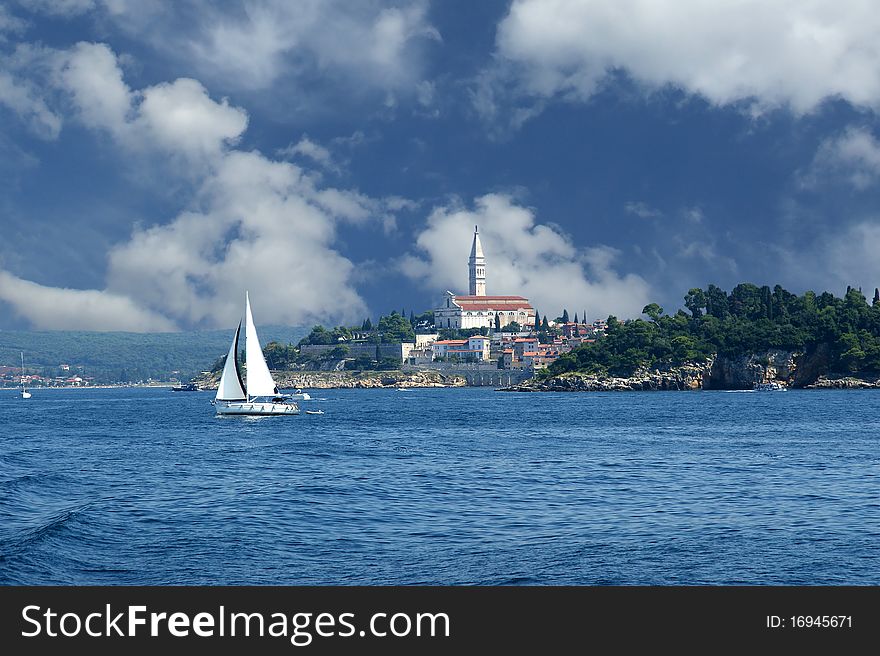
<point x="791" y="53"/>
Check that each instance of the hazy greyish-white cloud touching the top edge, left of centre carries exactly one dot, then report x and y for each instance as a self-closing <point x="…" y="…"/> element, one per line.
<point x="366" y="41"/>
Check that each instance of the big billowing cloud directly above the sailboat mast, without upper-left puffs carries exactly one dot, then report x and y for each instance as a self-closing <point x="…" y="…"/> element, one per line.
<point x="264" y="227"/>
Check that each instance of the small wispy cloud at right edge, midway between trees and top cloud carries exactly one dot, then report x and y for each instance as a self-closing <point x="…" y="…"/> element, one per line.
<point x="853" y="156"/>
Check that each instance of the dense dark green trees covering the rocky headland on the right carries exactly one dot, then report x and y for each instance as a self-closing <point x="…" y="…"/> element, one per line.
<point x="748" y="320"/>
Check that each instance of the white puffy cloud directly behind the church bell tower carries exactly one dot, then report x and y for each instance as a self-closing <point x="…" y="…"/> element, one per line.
<point x="523" y="257"/>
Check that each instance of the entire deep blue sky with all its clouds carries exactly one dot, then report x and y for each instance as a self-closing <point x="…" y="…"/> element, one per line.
<point x="157" y="159"/>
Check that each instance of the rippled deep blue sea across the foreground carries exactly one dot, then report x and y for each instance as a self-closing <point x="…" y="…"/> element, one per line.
<point x="442" y="486"/>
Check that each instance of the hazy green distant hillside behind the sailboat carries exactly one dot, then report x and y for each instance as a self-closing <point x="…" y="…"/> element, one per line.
<point x="126" y="357"/>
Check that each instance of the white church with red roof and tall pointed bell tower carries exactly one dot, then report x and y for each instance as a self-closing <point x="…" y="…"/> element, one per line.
<point x="477" y="310"/>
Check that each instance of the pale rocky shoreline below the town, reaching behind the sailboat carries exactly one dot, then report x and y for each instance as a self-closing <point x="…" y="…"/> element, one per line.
<point x="351" y="380"/>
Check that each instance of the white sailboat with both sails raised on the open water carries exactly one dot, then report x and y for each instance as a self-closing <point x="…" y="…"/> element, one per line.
<point x="259" y="396"/>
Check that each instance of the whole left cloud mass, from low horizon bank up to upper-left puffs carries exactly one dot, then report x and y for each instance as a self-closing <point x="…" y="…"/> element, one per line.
<point x="252" y="223"/>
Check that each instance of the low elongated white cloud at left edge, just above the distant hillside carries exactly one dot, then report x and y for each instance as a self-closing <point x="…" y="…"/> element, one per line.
<point x="77" y="309"/>
